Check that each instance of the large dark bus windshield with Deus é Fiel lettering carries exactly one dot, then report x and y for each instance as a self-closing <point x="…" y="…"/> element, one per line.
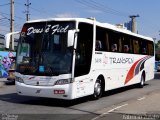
<point x="43" y="50"/>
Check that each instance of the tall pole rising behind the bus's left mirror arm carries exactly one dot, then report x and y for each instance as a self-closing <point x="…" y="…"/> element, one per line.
<point x="12" y="22"/>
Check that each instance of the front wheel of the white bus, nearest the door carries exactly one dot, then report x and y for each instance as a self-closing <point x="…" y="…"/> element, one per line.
<point x="97" y="89"/>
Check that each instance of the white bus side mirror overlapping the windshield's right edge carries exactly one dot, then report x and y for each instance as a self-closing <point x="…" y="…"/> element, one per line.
<point x="71" y="37"/>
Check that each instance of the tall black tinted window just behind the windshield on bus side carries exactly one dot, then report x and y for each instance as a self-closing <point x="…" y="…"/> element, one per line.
<point x="84" y="49"/>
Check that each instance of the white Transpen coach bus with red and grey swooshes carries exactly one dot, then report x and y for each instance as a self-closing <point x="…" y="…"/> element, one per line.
<point x="68" y="58"/>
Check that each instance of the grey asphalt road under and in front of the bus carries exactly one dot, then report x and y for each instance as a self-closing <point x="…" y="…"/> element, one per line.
<point x="113" y="105"/>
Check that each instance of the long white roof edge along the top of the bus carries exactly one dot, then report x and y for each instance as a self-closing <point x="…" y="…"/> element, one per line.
<point x="91" y="21"/>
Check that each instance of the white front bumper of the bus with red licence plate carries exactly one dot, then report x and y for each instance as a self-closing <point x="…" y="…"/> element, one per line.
<point x="57" y="91"/>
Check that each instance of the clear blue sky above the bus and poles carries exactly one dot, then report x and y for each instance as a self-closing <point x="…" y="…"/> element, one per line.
<point x="106" y="11"/>
